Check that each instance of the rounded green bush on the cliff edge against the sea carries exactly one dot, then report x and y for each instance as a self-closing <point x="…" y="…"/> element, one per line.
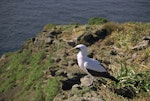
<point x="97" y="21"/>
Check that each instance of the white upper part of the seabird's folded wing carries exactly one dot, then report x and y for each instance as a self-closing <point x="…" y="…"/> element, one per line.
<point x="94" y="65"/>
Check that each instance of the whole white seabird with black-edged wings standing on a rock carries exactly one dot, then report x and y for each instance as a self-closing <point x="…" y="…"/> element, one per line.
<point x="91" y="66"/>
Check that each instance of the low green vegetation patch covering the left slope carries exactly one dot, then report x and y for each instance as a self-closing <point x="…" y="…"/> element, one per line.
<point x="27" y="71"/>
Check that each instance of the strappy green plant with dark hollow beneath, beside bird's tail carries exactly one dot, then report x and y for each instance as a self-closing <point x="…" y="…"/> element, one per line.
<point x="132" y="83"/>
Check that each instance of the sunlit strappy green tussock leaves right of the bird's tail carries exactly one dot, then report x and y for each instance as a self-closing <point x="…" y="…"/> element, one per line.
<point x="129" y="78"/>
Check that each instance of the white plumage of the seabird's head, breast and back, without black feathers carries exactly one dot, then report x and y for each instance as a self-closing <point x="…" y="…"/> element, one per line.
<point x="85" y="62"/>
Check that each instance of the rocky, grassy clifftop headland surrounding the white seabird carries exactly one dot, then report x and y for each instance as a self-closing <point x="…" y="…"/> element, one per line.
<point x="44" y="69"/>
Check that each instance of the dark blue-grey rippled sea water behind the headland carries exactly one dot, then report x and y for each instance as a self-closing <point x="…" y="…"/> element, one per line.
<point x="22" y="19"/>
